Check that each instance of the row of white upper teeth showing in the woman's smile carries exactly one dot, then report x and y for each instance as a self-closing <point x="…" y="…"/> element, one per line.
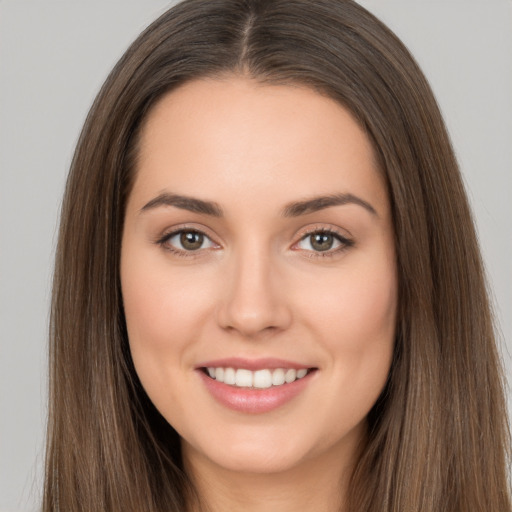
<point x="260" y="379"/>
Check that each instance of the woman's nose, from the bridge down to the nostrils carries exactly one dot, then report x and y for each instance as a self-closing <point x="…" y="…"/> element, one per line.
<point x="254" y="300"/>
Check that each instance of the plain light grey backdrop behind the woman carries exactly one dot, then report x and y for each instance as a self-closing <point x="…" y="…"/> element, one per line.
<point x="54" y="55"/>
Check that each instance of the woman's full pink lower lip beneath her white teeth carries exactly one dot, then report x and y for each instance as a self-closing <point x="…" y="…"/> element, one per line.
<point x="254" y="401"/>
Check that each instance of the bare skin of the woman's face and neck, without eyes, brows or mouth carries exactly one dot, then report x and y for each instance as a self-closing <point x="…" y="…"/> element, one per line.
<point x="258" y="288"/>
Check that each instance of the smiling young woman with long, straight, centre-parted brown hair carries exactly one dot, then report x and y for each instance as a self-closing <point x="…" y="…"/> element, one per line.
<point x="268" y="292"/>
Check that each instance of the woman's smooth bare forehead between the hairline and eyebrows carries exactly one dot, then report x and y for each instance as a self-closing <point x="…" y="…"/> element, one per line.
<point x="236" y="138"/>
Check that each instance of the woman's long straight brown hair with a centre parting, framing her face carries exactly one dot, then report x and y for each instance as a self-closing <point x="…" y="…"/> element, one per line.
<point x="438" y="436"/>
